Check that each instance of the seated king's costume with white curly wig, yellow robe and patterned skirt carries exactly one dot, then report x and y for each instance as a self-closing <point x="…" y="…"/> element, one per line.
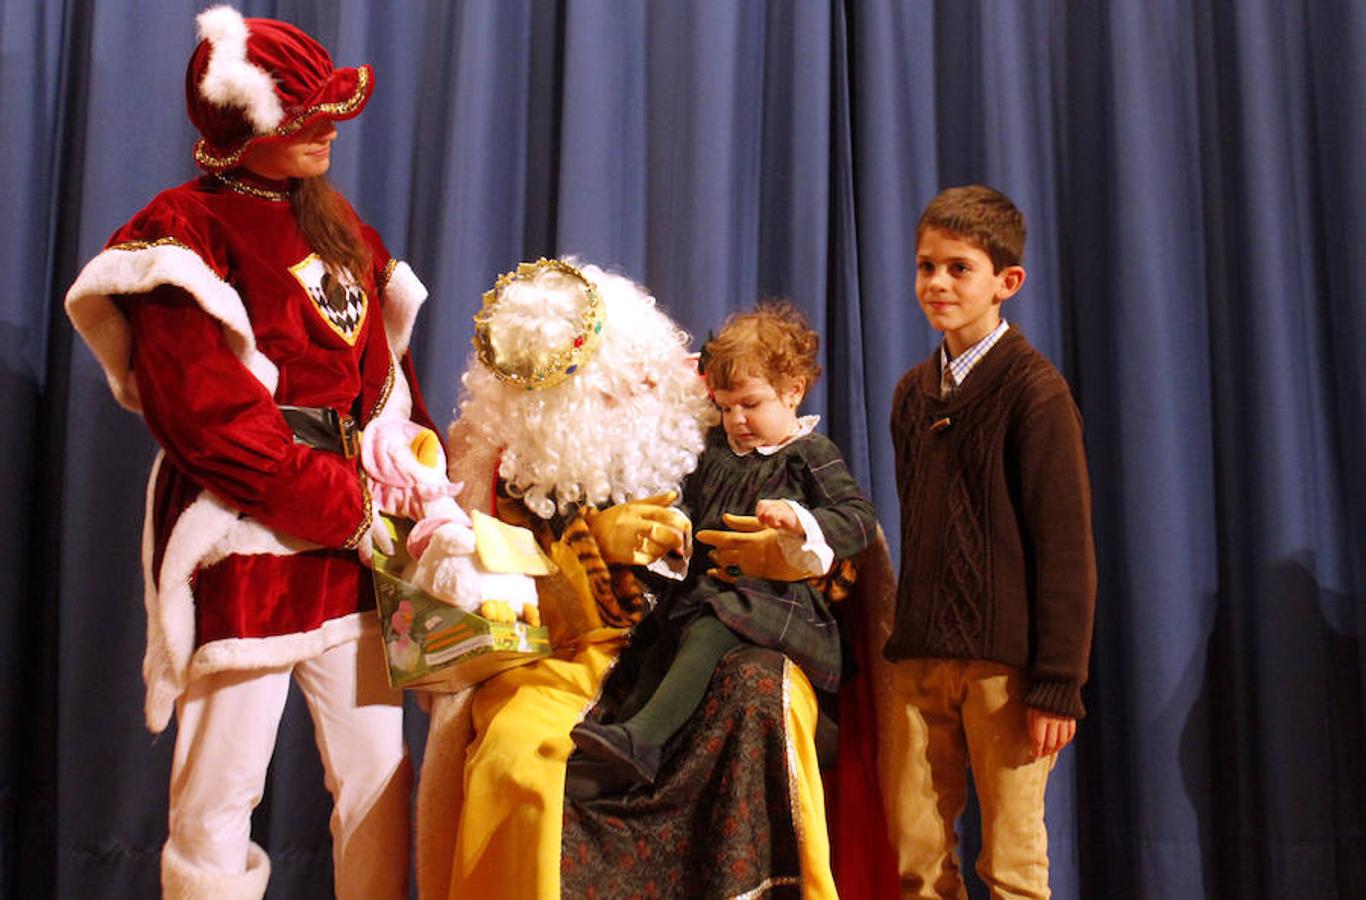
<point x="494" y="819"/>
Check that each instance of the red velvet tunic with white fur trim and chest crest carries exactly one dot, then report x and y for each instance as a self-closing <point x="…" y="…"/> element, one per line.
<point x="207" y="311"/>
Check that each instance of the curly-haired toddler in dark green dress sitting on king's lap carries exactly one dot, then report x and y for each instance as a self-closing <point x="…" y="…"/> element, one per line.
<point x="766" y="461"/>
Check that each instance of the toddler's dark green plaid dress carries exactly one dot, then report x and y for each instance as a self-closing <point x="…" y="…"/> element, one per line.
<point x="789" y="617"/>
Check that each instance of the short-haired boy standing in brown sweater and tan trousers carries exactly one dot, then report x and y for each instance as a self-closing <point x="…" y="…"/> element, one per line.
<point x="998" y="587"/>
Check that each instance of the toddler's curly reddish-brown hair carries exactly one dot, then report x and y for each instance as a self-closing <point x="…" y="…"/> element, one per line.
<point x="774" y="342"/>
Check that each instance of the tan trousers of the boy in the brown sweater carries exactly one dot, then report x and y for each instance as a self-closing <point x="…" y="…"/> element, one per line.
<point x="953" y="715"/>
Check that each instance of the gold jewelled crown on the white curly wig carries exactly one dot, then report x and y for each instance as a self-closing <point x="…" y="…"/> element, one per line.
<point x="558" y="365"/>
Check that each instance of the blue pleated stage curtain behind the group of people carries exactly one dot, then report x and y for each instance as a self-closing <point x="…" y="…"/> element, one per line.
<point x="1190" y="173"/>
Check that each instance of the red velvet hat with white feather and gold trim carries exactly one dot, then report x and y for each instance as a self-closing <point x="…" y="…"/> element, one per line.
<point x="262" y="80"/>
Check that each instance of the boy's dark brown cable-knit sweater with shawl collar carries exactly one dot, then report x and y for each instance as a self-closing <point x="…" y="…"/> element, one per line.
<point x="998" y="561"/>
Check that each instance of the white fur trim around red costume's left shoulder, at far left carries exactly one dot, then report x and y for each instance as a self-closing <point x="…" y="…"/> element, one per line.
<point x="139" y="271"/>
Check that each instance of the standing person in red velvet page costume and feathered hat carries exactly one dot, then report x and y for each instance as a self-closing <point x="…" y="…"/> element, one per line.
<point x="255" y="322"/>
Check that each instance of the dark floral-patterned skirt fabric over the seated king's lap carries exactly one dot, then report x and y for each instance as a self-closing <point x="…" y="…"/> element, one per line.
<point x="715" y="824"/>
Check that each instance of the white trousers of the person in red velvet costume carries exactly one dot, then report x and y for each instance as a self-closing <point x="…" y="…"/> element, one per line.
<point x="226" y="729"/>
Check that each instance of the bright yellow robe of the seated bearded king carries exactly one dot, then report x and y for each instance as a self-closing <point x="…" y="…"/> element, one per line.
<point x="509" y="804"/>
